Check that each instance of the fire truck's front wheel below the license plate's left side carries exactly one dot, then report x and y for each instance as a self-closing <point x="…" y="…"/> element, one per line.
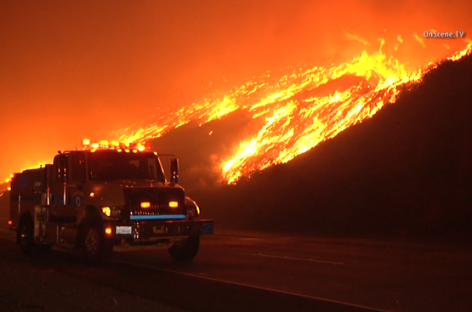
<point x="95" y="248"/>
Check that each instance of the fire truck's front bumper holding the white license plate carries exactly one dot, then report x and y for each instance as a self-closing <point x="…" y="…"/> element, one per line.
<point x="148" y="231"/>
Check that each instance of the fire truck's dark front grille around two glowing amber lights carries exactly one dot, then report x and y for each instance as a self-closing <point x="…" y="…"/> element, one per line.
<point x="157" y="198"/>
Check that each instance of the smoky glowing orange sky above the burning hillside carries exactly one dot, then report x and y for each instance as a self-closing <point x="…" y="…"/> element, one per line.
<point x="74" y="69"/>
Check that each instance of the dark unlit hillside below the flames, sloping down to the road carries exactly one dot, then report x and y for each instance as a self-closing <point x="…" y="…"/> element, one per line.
<point x="406" y="171"/>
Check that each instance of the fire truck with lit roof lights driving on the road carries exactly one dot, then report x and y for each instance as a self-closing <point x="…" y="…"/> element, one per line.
<point x="104" y="198"/>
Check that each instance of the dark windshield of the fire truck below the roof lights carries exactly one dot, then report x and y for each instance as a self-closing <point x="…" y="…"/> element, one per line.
<point x="112" y="165"/>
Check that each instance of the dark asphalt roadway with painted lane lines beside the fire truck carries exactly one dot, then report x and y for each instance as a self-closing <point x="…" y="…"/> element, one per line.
<point x="242" y="271"/>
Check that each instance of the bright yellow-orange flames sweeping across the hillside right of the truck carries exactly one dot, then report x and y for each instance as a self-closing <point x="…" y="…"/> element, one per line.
<point x="294" y="112"/>
